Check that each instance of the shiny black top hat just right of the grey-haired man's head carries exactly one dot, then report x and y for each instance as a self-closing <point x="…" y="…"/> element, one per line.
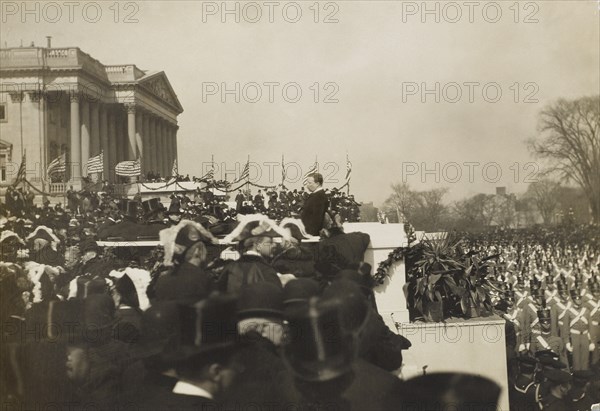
<point x="318" y="349"/>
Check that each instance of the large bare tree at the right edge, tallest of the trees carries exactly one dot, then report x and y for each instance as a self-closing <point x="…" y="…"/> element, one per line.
<point x="570" y="140"/>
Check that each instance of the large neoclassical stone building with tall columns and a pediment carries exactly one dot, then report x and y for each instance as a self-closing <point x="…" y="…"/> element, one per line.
<point x="56" y="101"/>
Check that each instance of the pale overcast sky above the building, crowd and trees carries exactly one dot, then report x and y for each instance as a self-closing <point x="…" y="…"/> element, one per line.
<point x="372" y="60"/>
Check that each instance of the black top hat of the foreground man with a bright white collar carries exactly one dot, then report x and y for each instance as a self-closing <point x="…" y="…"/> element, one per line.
<point x="204" y="327"/>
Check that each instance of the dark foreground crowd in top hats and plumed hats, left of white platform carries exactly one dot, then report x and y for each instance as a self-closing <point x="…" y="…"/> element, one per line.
<point x="277" y="319"/>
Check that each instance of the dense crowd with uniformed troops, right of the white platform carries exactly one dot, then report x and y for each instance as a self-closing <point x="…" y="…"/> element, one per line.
<point x="548" y="290"/>
